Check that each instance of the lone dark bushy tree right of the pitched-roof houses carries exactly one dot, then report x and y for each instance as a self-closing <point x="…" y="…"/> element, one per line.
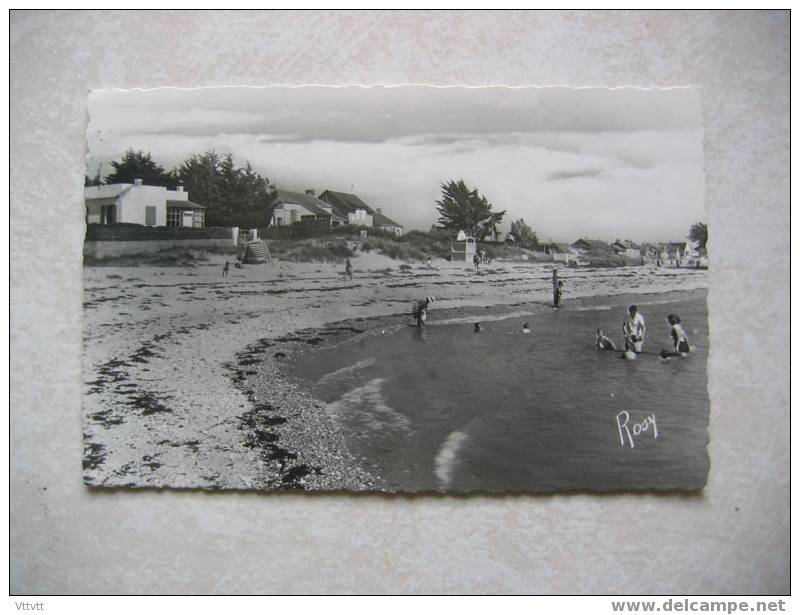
<point x="462" y="208"/>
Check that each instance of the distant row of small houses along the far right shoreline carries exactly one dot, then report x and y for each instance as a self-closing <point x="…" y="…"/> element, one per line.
<point x="665" y="253"/>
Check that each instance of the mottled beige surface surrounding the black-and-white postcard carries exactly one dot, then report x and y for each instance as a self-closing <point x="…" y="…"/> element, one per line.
<point x="732" y="539"/>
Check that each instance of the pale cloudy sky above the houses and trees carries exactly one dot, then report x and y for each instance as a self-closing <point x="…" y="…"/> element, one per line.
<point x="596" y="162"/>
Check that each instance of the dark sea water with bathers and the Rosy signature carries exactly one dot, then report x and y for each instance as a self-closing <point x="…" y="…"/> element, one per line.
<point x="444" y="408"/>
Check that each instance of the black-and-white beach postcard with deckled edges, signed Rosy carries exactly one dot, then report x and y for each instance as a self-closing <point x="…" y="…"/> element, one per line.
<point x="396" y="289"/>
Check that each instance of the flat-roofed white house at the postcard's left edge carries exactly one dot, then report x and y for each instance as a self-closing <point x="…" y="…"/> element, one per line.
<point x="139" y="204"/>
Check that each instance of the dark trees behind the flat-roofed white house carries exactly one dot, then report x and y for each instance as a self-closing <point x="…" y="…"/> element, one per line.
<point x="233" y="196"/>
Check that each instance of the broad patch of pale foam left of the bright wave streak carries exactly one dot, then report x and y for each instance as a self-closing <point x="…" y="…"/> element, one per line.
<point x="364" y="409"/>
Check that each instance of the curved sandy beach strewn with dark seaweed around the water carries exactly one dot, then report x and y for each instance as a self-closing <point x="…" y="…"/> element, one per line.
<point x="182" y="367"/>
